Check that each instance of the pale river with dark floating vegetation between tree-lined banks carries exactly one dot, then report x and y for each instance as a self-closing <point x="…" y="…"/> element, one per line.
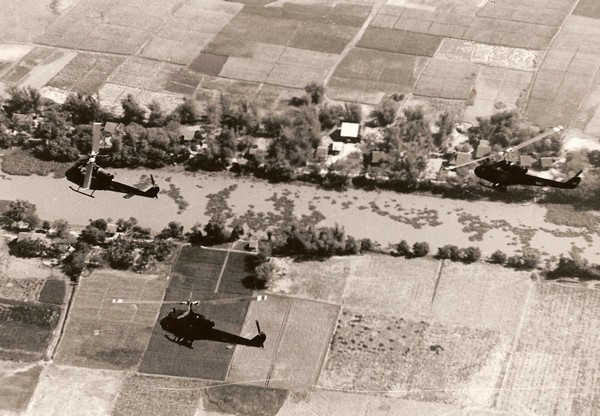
<point x="385" y="217"/>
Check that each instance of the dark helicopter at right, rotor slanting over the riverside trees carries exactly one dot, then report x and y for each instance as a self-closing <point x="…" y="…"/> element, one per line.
<point x="503" y="173"/>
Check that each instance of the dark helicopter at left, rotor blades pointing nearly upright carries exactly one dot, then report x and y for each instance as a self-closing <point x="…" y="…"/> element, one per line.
<point x="88" y="176"/>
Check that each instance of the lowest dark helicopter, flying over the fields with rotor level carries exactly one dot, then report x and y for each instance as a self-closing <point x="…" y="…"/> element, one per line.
<point x="188" y="326"/>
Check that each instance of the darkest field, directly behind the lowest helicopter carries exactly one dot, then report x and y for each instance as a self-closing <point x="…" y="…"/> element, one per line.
<point x="201" y="274"/>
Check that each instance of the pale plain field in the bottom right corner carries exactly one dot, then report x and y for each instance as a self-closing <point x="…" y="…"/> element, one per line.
<point x="555" y="365"/>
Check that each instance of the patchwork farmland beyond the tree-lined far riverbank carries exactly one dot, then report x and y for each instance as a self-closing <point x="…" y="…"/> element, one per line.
<point x="483" y="56"/>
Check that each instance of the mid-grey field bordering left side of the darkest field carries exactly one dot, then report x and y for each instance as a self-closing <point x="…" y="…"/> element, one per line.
<point x="103" y="335"/>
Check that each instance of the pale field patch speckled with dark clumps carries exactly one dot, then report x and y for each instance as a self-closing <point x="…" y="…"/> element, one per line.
<point x="410" y="359"/>
